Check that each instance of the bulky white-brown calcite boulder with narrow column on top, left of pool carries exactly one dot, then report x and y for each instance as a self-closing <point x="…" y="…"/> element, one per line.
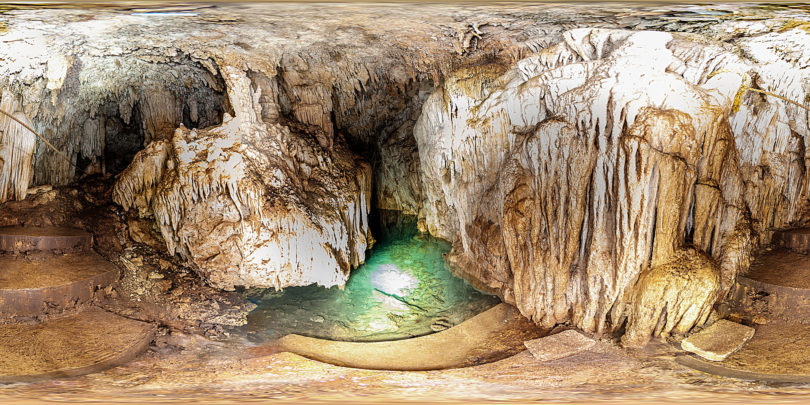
<point x="250" y="204"/>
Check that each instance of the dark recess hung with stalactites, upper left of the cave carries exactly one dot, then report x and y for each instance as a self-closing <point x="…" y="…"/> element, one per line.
<point x="103" y="130"/>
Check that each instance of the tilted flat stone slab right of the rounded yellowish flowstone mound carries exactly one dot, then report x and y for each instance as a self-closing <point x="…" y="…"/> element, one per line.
<point x="718" y="341"/>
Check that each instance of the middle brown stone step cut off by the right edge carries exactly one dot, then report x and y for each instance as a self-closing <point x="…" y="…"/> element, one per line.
<point x="777" y="287"/>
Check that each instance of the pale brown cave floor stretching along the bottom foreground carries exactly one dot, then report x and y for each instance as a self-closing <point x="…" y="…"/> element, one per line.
<point x="180" y="368"/>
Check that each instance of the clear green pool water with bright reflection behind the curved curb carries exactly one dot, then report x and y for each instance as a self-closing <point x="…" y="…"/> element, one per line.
<point x="404" y="289"/>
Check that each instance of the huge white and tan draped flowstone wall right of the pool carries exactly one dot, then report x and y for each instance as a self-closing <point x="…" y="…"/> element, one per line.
<point x="611" y="177"/>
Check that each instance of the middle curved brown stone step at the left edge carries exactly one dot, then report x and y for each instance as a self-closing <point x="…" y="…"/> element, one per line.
<point x="47" y="283"/>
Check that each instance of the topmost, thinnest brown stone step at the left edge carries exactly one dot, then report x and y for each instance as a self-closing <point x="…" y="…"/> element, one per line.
<point x="22" y="239"/>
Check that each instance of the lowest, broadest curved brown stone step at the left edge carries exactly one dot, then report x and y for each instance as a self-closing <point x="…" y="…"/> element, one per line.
<point x="79" y="344"/>
